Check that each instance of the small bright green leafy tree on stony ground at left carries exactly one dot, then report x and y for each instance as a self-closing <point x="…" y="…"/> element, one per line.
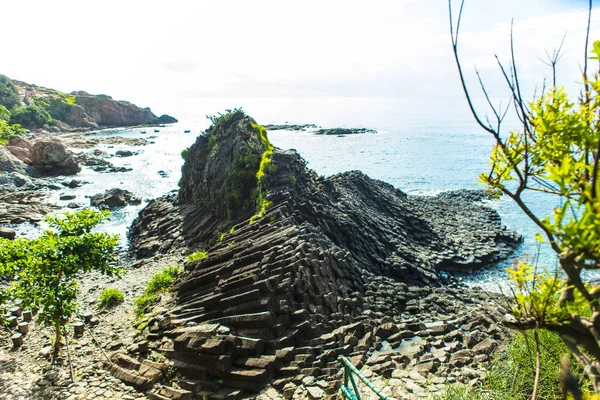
<point x="45" y="268"/>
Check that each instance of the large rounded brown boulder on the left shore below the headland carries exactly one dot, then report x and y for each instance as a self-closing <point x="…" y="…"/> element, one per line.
<point x="50" y="157"/>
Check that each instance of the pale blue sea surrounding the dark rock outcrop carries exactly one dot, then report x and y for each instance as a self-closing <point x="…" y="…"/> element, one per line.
<point x="421" y="146"/>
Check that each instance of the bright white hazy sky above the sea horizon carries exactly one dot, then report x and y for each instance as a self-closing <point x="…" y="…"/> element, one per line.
<point x="162" y="54"/>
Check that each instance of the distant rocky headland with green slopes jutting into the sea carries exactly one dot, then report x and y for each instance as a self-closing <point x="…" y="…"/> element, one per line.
<point x="81" y="110"/>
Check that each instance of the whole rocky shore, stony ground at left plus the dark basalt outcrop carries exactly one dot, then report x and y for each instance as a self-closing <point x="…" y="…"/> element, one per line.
<point x="301" y="269"/>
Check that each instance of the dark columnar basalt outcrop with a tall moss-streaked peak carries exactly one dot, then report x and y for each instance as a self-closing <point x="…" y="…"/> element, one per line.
<point x="301" y="269"/>
